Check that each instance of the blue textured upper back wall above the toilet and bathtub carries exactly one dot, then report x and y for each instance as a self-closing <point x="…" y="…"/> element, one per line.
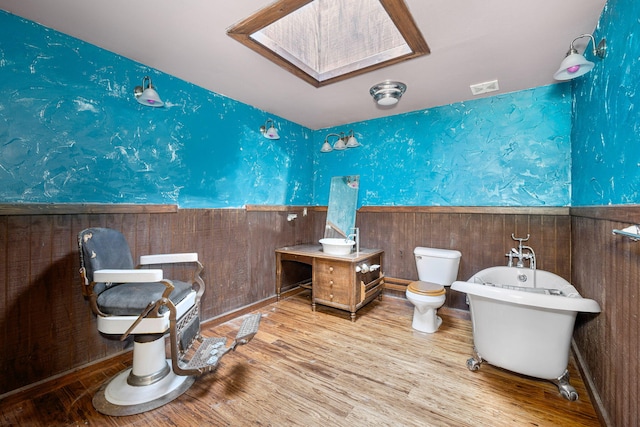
<point x="506" y="150"/>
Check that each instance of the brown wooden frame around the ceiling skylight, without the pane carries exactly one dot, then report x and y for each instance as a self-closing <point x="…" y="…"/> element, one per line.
<point x="396" y="9"/>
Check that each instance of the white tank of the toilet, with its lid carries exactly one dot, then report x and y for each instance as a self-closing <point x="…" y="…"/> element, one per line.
<point x="437" y="265"/>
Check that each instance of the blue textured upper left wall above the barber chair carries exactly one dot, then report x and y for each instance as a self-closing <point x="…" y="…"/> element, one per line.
<point x="71" y="131"/>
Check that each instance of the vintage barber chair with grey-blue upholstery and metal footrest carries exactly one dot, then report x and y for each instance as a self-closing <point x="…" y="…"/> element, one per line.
<point x="142" y="303"/>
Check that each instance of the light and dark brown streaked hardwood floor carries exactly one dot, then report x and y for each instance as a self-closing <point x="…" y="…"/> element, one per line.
<point x="307" y="368"/>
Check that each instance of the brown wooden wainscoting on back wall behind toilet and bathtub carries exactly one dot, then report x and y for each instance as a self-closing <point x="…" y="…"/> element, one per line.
<point x="482" y="238"/>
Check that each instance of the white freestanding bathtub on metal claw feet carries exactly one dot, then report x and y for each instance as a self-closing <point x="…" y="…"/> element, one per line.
<point x="520" y="330"/>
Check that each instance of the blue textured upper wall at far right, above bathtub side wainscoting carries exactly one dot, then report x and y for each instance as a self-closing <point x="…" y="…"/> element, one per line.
<point x="606" y="128"/>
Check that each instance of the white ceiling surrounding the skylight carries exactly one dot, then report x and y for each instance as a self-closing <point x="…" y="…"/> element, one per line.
<point x="519" y="43"/>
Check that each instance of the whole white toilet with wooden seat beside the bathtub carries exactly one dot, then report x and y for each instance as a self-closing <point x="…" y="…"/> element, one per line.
<point x="437" y="268"/>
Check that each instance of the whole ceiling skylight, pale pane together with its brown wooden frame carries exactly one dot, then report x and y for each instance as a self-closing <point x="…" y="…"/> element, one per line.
<point x="324" y="41"/>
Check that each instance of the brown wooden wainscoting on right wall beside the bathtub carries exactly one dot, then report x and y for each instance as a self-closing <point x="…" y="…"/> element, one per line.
<point x="606" y="267"/>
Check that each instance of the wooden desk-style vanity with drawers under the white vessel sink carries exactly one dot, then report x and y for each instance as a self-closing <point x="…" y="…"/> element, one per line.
<point x="345" y="282"/>
